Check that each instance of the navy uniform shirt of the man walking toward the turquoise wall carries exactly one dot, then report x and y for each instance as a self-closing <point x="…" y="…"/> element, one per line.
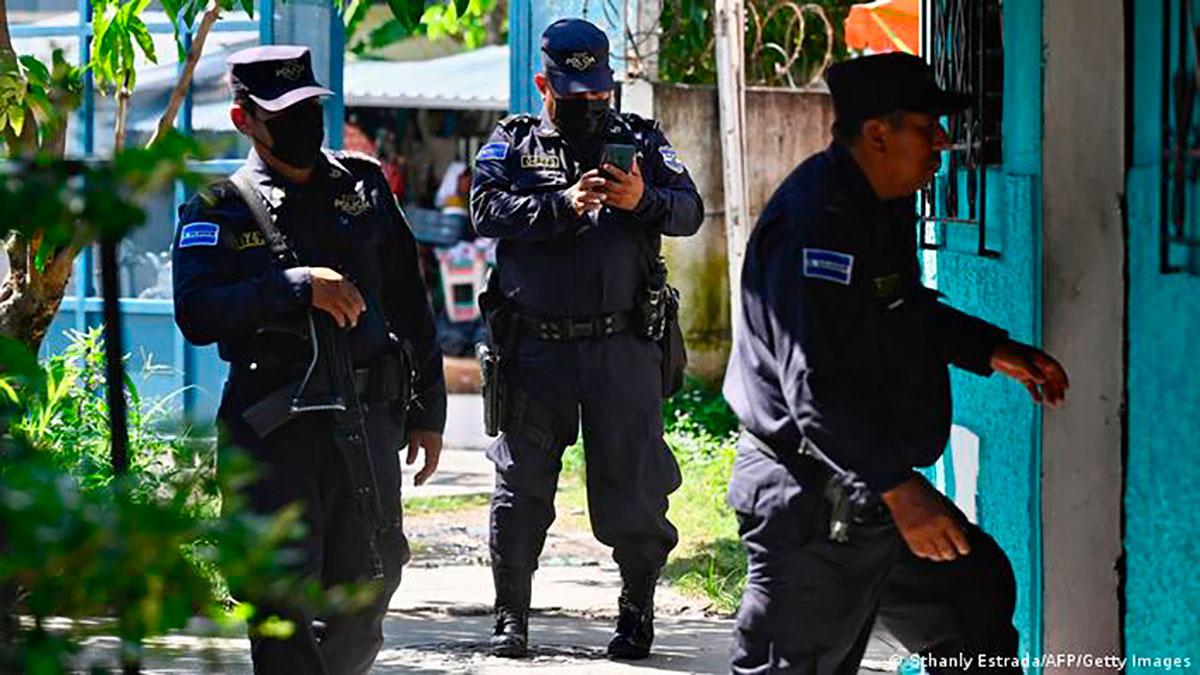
<point x="838" y="341"/>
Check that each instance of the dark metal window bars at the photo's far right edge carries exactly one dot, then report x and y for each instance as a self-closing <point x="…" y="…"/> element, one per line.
<point x="1179" y="237"/>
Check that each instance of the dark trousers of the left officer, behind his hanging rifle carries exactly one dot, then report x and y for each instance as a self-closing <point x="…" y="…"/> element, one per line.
<point x="301" y="464"/>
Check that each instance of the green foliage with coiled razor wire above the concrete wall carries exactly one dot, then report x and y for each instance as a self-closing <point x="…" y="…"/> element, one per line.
<point x="789" y="50"/>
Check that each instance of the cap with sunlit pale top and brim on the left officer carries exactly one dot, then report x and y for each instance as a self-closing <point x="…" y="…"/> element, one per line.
<point x="275" y="76"/>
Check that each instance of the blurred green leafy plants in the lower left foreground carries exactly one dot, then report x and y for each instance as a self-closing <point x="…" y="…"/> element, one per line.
<point x="152" y="549"/>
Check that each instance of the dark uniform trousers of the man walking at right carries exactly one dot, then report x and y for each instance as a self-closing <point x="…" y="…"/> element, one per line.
<point x="811" y="604"/>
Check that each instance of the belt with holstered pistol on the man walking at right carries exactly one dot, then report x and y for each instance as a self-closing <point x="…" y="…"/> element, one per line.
<point x="851" y="503"/>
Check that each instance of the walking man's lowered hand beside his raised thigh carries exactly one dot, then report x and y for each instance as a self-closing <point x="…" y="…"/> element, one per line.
<point x="931" y="530"/>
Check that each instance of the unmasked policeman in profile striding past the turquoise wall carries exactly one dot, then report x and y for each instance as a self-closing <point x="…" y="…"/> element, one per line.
<point x="839" y="377"/>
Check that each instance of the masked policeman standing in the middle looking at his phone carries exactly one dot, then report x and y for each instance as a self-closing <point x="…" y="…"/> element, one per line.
<point x="578" y="244"/>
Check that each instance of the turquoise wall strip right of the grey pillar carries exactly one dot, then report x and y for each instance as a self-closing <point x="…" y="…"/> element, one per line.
<point x="1162" y="500"/>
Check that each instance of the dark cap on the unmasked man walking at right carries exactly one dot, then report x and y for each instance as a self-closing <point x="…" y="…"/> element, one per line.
<point x="871" y="87"/>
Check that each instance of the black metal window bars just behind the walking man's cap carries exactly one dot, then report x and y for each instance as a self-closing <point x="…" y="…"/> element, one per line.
<point x="964" y="43"/>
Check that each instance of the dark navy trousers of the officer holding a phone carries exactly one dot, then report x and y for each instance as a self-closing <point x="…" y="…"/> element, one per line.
<point x="614" y="386"/>
